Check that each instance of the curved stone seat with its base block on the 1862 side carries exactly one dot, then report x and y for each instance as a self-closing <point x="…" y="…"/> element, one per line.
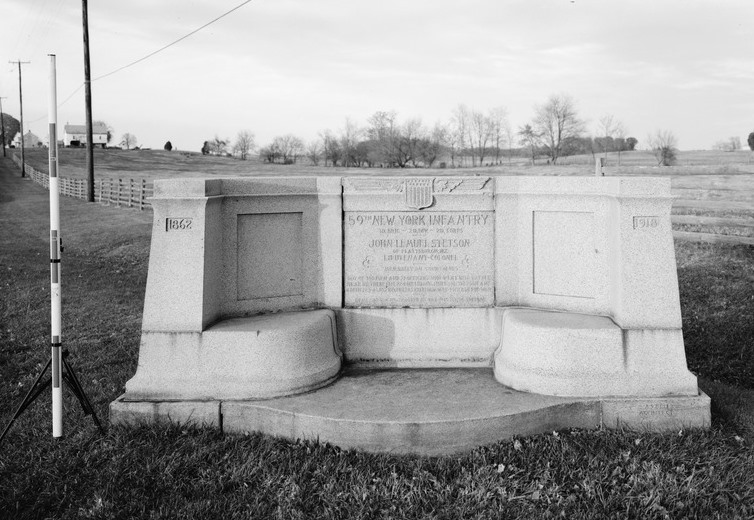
<point x="240" y="358"/>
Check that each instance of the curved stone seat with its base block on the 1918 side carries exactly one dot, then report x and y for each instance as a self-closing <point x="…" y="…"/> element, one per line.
<point x="570" y="354"/>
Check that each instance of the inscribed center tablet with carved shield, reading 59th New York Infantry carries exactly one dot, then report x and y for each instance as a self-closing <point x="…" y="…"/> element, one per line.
<point x="419" y="257"/>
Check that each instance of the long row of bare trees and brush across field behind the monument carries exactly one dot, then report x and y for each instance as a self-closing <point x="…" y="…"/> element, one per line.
<point x="468" y="137"/>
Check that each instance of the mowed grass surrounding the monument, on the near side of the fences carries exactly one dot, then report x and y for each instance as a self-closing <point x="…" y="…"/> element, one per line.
<point x="177" y="471"/>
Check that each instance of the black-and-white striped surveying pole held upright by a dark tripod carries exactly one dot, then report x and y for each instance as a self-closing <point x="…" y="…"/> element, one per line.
<point x="55" y="250"/>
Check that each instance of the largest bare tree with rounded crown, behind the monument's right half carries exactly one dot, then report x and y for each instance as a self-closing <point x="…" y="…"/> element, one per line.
<point x="557" y="123"/>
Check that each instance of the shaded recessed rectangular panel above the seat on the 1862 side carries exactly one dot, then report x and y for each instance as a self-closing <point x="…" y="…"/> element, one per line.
<point x="269" y="255"/>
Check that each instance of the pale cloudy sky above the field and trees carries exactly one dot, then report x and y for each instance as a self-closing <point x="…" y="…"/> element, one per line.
<point x="275" y="67"/>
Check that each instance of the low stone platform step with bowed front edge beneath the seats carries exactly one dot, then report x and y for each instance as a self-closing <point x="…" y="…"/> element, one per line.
<point x="422" y="411"/>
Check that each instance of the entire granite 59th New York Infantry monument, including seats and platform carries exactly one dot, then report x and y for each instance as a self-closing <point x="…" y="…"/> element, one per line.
<point x="465" y="309"/>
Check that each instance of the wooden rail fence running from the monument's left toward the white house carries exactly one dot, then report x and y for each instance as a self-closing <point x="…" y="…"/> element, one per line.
<point x="128" y="193"/>
